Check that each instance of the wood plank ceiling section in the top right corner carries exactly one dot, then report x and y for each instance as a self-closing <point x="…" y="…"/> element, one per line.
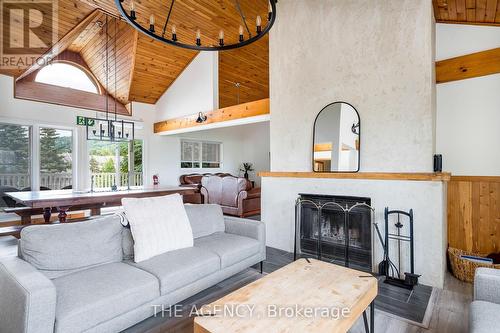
<point x="485" y="12"/>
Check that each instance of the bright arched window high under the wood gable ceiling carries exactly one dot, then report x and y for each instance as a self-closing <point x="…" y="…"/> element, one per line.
<point x="67" y="75"/>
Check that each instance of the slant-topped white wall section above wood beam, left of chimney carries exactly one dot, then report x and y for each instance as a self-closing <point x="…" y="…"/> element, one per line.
<point x="195" y="90"/>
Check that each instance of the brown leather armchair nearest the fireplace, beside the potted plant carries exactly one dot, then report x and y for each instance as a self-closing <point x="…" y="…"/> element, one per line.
<point x="234" y="194"/>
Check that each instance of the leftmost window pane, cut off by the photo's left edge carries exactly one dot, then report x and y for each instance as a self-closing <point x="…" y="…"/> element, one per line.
<point x="14" y="160"/>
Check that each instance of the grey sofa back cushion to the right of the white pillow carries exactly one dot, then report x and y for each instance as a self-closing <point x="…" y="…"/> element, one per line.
<point x="205" y="219"/>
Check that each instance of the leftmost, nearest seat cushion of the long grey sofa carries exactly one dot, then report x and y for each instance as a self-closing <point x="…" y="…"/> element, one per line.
<point x="98" y="294"/>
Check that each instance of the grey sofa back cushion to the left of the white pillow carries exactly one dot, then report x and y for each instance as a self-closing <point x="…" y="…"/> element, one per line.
<point x="61" y="249"/>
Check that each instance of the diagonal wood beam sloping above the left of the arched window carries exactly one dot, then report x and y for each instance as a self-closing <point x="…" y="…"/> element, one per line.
<point x="63" y="43"/>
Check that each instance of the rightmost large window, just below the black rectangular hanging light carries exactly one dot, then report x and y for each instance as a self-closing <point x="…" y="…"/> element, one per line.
<point x="112" y="163"/>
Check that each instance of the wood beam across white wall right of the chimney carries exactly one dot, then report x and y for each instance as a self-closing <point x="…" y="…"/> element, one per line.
<point x="468" y="66"/>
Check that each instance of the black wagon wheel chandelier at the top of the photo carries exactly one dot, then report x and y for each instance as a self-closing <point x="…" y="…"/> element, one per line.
<point x="130" y="16"/>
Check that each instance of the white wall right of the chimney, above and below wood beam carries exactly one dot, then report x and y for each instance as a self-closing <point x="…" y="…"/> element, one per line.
<point x="468" y="111"/>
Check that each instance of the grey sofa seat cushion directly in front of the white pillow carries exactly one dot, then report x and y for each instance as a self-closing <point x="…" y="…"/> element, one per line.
<point x="179" y="268"/>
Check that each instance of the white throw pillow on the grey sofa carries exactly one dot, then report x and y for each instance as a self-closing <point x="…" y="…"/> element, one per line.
<point x="158" y="225"/>
